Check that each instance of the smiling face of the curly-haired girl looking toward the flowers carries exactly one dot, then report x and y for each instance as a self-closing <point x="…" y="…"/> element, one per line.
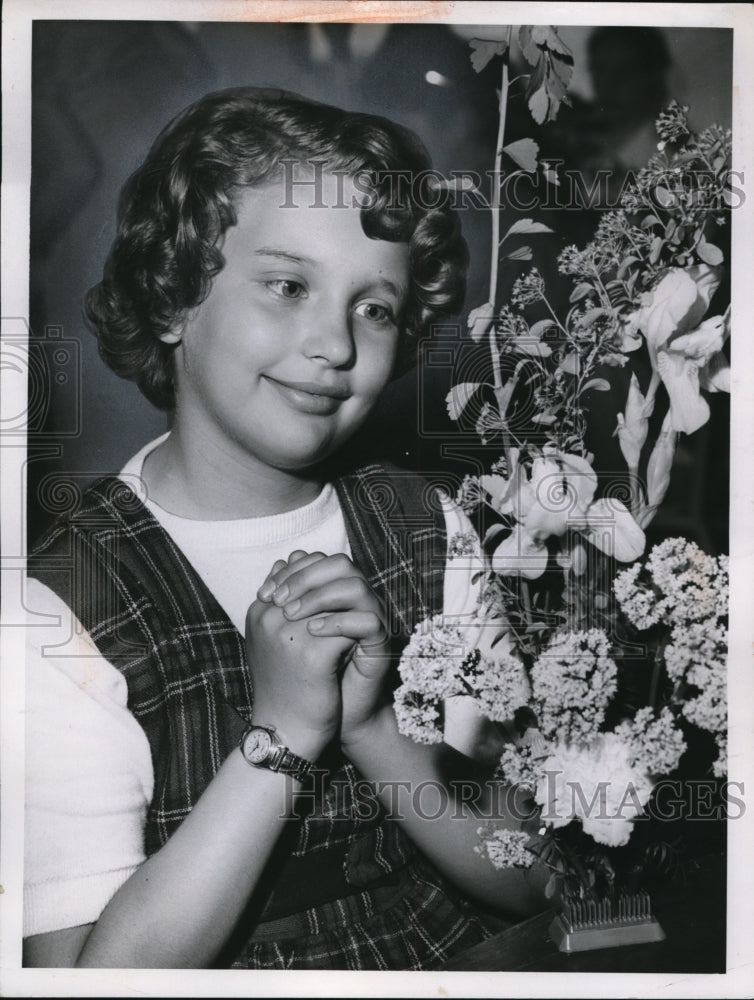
<point x="288" y="353"/>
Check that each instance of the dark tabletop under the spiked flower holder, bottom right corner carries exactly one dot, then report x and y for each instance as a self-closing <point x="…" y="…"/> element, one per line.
<point x="691" y="913"/>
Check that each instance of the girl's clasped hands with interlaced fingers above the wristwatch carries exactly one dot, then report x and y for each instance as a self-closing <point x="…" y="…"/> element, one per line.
<point x="316" y="640"/>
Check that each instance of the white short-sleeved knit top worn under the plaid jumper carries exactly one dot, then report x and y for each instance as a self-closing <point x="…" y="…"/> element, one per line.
<point x="89" y="774"/>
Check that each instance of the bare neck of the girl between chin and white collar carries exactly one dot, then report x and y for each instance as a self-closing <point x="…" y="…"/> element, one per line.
<point x="211" y="480"/>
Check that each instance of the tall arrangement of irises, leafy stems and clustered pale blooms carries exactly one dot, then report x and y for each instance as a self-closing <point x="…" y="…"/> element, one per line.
<point x="584" y="735"/>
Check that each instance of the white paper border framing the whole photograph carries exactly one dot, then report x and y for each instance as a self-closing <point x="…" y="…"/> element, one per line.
<point x="18" y="16"/>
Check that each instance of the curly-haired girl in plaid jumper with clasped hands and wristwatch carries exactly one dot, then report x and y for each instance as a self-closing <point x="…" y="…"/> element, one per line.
<point x="268" y="277"/>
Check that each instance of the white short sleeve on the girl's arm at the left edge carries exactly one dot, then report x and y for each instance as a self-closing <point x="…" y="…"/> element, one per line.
<point x="88" y="773"/>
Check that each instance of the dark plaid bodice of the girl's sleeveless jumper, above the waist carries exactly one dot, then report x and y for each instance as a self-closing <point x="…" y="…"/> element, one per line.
<point x="189" y="685"/>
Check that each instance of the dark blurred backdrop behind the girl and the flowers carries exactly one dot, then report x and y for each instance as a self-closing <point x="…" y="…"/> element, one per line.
<point x="103" y="90"/>
